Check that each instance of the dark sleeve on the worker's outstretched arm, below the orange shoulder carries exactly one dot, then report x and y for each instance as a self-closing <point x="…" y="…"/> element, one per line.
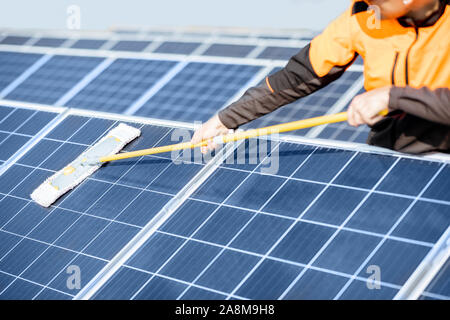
<point x="296" y="80"/>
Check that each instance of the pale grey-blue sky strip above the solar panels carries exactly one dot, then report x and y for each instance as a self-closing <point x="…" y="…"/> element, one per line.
<point x="103" y="14"/>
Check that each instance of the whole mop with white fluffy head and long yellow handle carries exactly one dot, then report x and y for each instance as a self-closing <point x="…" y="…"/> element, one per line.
<point x="107" y="149"/>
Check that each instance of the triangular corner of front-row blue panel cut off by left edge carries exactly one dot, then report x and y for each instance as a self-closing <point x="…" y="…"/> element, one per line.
<point x="18" y="126"/>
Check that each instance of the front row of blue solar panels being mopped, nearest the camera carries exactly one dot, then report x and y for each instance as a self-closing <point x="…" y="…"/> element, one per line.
<point x="242" y="234"/>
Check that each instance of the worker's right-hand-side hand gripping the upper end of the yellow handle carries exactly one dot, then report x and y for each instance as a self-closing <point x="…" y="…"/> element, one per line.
<point x="365" y="108"/>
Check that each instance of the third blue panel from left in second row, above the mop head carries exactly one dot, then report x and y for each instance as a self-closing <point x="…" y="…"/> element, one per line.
<point x="119" y="85"/>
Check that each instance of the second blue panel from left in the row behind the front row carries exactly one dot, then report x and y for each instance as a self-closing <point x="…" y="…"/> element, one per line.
<point x="55" y="78"/>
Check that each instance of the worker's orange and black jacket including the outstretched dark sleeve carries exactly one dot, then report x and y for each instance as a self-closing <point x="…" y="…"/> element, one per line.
<point x="411" y="56"/>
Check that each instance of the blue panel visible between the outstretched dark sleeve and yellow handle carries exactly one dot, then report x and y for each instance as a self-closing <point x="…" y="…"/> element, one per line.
<point x="314" y="105"/>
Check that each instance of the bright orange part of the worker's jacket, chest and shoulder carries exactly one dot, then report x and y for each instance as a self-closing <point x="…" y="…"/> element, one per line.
<point x="394" y="54"/>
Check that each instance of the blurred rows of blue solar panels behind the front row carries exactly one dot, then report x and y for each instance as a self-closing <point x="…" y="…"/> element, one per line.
<point x="50" y="81"/>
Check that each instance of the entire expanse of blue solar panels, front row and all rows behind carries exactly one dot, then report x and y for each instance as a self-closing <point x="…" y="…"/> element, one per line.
<point x="311" y="229"/>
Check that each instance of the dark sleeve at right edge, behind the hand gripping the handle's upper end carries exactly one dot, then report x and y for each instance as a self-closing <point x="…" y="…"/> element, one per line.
<point x="432" y="105"/>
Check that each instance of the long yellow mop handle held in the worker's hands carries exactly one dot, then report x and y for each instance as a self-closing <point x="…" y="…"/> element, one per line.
<point x="289" y="126"/>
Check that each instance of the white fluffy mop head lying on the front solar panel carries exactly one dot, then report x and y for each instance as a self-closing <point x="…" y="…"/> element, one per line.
<point x="73" y="174"/>
